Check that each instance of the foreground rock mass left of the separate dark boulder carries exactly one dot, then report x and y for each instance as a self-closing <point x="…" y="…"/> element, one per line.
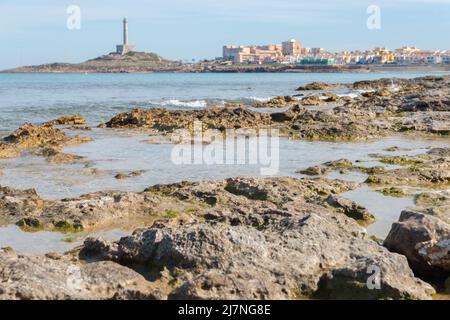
<point x="242" y="238"/>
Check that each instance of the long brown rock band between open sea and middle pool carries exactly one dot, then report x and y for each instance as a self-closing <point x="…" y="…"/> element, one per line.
<point x="419" y="106"/>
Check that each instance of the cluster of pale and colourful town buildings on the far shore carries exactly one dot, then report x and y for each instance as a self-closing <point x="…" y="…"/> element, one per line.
<point x="292" y="52"/>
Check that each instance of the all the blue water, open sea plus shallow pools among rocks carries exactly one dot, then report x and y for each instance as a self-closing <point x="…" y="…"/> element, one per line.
<point x="41" y="97"/>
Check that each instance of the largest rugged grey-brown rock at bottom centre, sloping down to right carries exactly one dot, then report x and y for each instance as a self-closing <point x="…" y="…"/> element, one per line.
<point x="315" y="254"/>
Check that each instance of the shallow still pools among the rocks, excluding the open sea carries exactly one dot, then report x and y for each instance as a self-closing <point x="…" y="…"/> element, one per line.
<point x="115" y="151"/>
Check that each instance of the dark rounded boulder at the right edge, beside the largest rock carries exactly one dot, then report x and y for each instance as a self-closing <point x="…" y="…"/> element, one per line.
<point x="424" y="240"/>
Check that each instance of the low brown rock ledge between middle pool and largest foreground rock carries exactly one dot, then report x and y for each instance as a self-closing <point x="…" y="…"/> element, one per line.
<point x="226" y="199"/>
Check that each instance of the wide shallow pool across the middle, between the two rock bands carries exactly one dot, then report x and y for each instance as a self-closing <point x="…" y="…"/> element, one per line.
<point x="113" y="152"/>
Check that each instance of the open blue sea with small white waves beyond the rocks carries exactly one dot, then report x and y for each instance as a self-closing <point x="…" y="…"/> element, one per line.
<point x="40" y="97"/>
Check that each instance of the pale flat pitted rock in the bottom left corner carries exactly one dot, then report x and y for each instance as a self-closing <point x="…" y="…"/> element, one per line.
<point x="41" y="278"/>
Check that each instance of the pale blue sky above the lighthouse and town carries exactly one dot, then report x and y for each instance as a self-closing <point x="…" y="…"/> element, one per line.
<point x="34" y="32"/>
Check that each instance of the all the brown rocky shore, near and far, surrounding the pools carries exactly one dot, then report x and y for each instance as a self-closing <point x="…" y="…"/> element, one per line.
<point x="248" y="237"/>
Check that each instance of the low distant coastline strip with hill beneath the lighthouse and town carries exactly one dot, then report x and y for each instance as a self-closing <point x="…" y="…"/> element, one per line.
<point x="142" y="62"/>
